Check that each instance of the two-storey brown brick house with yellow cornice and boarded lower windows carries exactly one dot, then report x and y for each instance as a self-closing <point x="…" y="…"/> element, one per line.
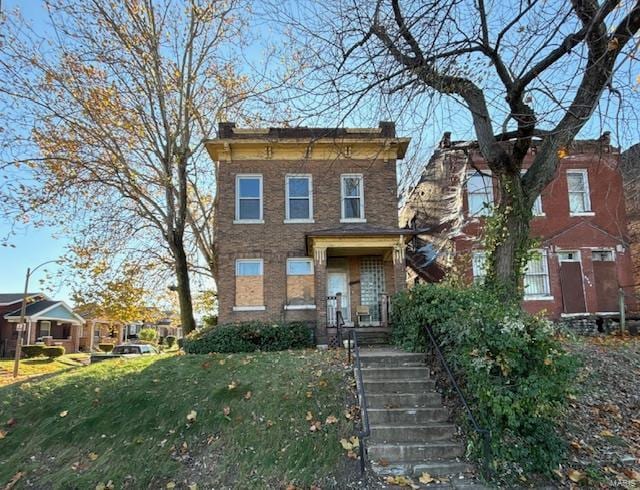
<point x="307" y="225"/>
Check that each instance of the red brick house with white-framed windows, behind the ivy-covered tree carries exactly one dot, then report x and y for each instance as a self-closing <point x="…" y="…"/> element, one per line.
<point x="583" y="256"/>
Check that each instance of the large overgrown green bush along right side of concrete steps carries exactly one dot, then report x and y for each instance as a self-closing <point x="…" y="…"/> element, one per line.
<point x="514" y="372"/>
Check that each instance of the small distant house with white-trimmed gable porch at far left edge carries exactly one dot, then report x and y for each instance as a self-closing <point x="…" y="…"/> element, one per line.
<point x="50" y="321"/>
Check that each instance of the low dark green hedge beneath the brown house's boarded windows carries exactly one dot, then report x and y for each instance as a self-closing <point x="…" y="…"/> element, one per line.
<point x="249" y="337"/>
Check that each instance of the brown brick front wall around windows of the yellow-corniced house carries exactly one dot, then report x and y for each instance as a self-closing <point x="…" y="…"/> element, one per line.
<point x="275" y="241"/>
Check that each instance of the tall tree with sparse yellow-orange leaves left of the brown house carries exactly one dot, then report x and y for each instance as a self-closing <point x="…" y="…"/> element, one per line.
<point x="104" y="118"/>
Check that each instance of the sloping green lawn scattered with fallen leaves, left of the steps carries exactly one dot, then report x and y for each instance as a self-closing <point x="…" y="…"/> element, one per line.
<point x="133" y="415"/>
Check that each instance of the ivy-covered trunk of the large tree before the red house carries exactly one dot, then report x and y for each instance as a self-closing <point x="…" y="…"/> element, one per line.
<point x="507" y="236"/>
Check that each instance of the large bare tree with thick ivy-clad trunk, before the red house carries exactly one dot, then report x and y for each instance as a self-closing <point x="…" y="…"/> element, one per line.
<point x="521" y="70"/>
